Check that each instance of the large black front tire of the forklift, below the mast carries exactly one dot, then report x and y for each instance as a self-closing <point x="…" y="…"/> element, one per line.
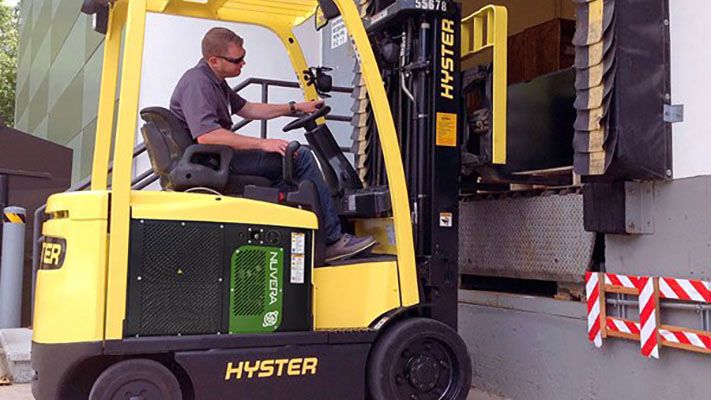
<point x="419" y="359"/>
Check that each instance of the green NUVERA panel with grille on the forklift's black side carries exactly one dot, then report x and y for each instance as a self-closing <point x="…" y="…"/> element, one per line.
<point x="256" y="289"/>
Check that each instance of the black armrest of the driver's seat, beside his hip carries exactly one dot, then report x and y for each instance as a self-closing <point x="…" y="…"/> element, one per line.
<point x="205" y="165"/>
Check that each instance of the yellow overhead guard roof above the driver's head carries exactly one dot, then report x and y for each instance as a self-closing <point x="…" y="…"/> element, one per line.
<point x="291" y="12"/>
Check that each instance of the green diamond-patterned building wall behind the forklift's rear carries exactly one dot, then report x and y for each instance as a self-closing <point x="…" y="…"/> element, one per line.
<point x="57" y="77"/>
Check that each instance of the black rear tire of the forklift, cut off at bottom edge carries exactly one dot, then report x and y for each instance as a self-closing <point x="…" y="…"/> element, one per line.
<point x="138" y="379"/>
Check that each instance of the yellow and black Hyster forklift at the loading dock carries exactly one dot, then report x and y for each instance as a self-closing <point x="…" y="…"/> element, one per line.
<point x="220" y="293"/>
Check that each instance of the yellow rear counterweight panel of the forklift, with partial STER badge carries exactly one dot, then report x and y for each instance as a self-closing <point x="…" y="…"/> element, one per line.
<point x="69" y="302"/>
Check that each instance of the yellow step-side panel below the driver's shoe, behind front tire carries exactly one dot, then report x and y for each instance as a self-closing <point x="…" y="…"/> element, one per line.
<point x="353" y="296"/>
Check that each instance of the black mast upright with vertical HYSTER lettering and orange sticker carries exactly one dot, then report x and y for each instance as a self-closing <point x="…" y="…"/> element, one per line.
<point x="443" y="168"/>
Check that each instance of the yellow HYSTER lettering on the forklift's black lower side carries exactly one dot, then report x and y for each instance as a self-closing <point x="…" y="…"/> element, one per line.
<point x="270" y="368"/>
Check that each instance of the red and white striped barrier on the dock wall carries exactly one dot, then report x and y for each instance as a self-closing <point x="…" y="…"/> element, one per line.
<point x="649" y="331"/>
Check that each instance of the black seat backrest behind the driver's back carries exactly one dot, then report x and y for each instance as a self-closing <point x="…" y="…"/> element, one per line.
<point x="166" y="138"/>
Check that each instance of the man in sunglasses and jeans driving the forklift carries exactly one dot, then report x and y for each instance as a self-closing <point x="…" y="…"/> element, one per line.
<point x="204" y="101"/>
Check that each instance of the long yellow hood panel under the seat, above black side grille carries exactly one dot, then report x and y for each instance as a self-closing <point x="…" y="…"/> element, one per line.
<point x="178" y="206"/>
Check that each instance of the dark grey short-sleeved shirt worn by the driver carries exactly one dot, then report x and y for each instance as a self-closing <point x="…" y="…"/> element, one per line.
<point x="203" y="101"/>
